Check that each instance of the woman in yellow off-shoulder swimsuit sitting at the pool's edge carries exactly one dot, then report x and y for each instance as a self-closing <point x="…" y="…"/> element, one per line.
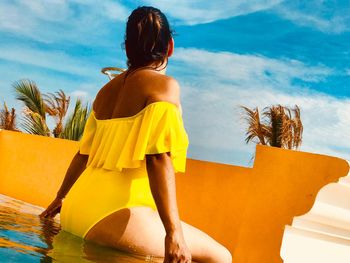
<point x="120" y="187"/>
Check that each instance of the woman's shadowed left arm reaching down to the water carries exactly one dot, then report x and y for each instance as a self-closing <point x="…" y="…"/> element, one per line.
<point x="75" y="169"/>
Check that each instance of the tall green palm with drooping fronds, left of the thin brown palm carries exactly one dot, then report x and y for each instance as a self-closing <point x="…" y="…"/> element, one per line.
<point x="35" y="109"/>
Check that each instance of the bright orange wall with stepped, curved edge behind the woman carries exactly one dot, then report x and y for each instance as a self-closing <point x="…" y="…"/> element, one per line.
<point x="246" y="209"/>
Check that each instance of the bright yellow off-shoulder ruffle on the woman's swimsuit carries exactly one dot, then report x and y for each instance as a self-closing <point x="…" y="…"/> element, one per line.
<point x="114" y="144"/>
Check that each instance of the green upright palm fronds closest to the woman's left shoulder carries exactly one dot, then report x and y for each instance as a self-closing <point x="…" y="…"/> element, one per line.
<point x="74" y="126"/>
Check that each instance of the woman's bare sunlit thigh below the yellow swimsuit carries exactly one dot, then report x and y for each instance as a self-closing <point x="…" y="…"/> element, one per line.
<point x="140" y="230"/>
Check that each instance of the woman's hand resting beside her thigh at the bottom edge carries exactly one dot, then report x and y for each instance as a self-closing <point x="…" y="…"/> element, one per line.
<point x="176" y="249"/>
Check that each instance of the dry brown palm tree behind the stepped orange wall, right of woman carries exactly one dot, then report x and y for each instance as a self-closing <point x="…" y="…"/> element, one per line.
<point x="279" y="129"/>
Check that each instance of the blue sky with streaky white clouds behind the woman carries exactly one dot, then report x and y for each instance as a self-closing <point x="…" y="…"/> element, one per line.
<point x="228" y="53"/>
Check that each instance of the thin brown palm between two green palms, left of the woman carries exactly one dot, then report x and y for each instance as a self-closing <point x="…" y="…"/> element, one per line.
<point x="57" y="106"/>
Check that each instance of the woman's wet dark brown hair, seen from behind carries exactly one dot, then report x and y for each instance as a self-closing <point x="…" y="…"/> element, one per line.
<point x="147" y="37"/>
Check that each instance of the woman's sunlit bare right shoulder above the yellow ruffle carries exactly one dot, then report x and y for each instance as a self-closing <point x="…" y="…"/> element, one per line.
<point x="167" y="89"/>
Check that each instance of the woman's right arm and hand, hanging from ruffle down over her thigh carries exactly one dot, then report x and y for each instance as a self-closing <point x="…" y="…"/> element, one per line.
<point x="162" y="183"/>
